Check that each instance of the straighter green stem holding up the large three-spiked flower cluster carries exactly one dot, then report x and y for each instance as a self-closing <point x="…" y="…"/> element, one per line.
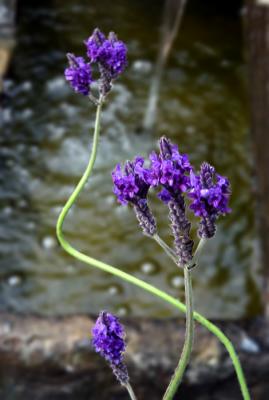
<point x="187" y="348"/>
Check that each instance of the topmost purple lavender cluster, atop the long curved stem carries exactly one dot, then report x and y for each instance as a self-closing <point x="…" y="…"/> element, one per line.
<point x="110" y="56"/>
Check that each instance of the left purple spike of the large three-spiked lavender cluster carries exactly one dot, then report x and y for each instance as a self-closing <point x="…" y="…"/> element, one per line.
<point x="131" y="186"/>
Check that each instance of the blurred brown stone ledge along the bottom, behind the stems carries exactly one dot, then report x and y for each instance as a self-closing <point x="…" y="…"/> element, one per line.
<point x="51" y="358"/>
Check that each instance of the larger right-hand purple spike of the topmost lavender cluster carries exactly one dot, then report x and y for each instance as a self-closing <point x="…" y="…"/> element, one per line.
<point x="110" y="54"/>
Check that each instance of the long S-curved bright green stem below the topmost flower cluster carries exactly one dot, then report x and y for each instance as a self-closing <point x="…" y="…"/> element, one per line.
<point x="131" y="279"/>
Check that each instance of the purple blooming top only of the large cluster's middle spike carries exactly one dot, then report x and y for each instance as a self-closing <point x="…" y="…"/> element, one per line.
<point x="170" y="169"/>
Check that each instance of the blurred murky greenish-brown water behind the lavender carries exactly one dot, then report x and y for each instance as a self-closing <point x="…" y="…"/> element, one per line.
<point x="45" y="145"/>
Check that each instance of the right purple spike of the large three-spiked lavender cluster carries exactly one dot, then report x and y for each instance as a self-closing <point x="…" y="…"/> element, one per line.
<point x="209" y="196"/>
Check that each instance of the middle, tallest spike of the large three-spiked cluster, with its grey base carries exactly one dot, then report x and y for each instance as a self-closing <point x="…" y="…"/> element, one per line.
<point x="171" y="170"/>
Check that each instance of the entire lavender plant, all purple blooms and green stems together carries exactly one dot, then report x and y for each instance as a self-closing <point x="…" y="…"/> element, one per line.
<point x="207" y="191"/>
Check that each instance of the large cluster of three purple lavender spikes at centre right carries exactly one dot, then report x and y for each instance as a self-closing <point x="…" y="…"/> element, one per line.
<point x="172" y="171"/>
